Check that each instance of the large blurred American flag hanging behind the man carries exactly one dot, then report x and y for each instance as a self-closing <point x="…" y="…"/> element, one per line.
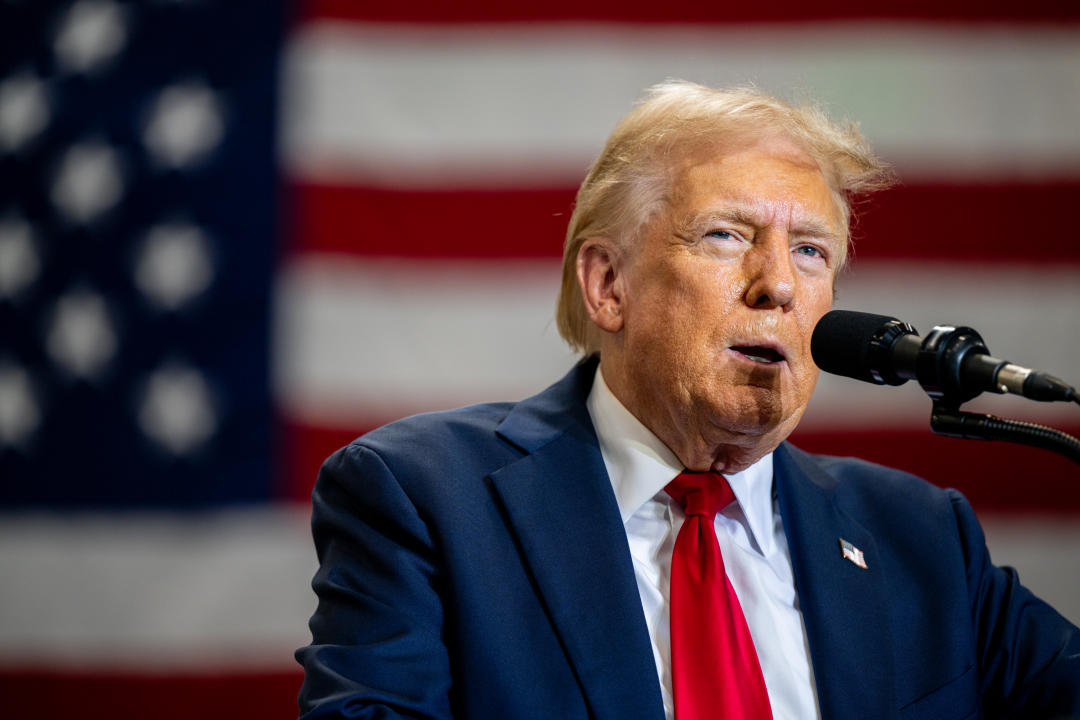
<point x="235" y="236"/>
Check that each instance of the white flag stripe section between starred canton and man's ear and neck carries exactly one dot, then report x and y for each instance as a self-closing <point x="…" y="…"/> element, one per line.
<point x="367" y="339"/>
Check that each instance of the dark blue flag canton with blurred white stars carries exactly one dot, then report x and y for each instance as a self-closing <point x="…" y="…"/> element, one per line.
<point x="138" y="237"/>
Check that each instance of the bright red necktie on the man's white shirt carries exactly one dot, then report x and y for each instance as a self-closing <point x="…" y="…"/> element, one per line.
<point x="715" y="673"/>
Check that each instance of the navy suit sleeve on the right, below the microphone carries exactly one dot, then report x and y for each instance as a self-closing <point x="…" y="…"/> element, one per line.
<point x="1029" y="655"/>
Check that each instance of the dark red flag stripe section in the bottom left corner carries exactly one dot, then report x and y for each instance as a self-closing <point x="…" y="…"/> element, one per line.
<point x="35" y="695"/>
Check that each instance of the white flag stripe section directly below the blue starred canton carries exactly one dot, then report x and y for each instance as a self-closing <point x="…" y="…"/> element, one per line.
<point x="156" y="591"/>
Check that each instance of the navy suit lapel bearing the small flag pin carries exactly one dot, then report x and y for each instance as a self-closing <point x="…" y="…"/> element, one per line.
<point x="844" y="607"/>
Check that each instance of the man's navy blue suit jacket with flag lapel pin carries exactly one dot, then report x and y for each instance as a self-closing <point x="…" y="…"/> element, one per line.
<point x="475" y="565"/>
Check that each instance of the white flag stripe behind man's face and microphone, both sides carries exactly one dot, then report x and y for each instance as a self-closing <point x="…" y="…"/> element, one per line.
<point x="368" y="341"/>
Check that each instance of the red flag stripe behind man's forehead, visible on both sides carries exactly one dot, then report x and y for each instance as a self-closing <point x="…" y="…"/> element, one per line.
<point x="1007" y="224"/>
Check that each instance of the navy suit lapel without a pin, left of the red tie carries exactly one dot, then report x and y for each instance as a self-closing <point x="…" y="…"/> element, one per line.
<point x="561" y="507"/>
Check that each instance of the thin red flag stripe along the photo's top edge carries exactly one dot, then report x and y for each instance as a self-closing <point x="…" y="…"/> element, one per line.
<point x="690" y="11"/>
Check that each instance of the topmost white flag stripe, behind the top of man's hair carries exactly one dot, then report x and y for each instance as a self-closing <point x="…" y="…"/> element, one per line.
<point x="531" y="105"/>
